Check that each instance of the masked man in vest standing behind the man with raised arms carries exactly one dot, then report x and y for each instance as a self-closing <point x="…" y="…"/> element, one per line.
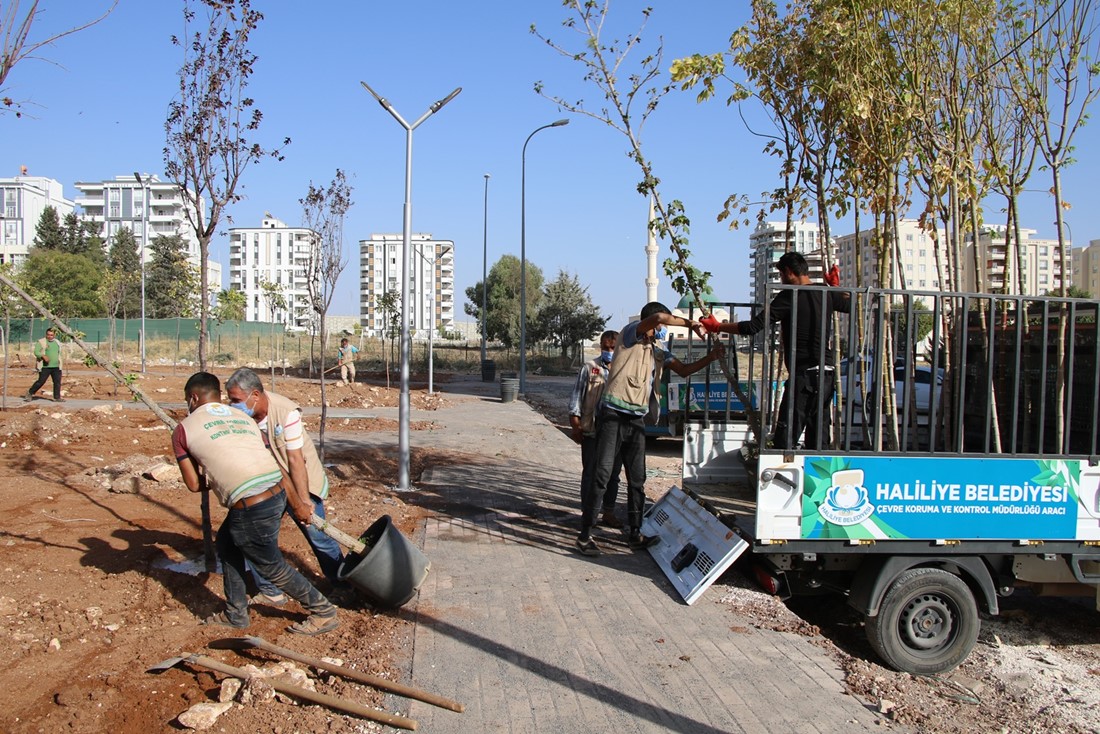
<point x="584" y="410"/>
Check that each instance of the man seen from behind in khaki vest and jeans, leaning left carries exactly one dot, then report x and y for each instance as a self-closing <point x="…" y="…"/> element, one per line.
<point x="229" y="450"/>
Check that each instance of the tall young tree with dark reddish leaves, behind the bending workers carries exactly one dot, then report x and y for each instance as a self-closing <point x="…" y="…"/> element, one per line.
<point x="212" y="123"/>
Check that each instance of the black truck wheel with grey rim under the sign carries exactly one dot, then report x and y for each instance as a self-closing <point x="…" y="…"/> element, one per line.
<point x="928" y="622"/>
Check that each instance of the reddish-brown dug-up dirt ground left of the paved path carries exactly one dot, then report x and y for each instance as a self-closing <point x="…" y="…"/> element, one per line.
<point x="102" y="580"/>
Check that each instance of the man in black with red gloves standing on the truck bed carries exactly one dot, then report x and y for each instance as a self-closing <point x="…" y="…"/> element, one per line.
<point x="810" y="380"/>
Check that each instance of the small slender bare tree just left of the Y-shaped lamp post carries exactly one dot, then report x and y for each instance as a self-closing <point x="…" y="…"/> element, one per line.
<point x="324" y="212"/>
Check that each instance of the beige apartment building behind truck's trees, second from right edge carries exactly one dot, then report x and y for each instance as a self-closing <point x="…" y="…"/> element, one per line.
<point x="1037" y="271"/>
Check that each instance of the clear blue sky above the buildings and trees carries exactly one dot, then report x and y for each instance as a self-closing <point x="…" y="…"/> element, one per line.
<point x="97" y="103"/>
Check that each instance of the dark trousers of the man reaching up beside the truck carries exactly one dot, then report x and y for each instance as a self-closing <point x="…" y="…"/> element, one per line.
<point x="621" y="441"/>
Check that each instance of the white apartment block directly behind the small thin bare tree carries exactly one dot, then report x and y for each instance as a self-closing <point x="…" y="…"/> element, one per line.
<point x="272" y="254"/>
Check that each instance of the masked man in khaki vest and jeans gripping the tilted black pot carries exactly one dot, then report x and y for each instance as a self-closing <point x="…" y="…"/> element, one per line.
<point x="281" y="422"/>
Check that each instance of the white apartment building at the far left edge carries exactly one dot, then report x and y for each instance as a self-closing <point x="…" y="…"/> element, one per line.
<point x="24" y="200"/>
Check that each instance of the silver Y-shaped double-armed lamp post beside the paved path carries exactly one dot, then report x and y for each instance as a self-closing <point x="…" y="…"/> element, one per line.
<point x="403" y="406"/>
